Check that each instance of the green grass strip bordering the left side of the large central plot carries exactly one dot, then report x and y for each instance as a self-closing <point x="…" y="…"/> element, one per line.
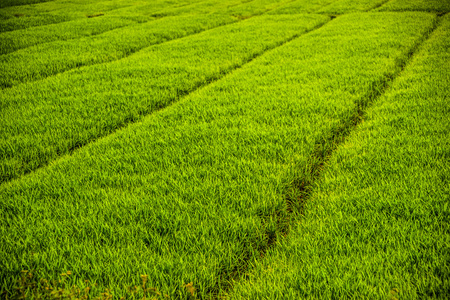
<point x="71" y="109"/>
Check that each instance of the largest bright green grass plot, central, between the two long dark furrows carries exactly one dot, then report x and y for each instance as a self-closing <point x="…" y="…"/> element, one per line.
<point x="196" y="191"/>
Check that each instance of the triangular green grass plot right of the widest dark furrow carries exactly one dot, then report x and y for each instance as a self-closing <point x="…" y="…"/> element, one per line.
<point x="377" y="224"/>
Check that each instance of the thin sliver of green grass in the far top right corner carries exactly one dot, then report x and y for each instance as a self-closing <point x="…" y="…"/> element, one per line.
<point x="423" y="5"/>
